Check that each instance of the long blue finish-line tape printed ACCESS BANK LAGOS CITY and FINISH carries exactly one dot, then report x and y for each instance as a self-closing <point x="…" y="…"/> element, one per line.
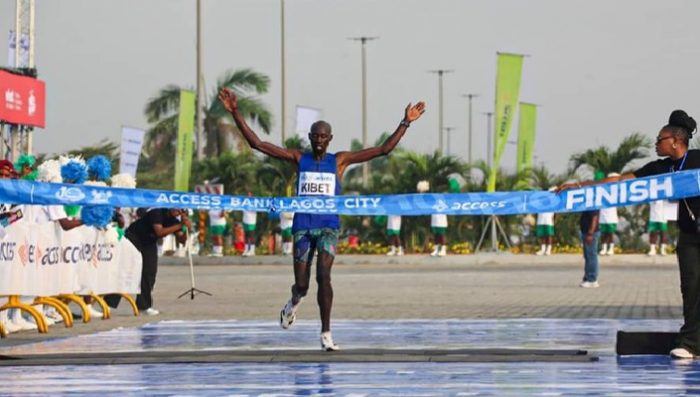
<point x="670" y="186"/>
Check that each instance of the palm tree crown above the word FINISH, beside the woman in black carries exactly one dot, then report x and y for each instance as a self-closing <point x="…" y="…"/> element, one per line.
<point x="632" y="147"/>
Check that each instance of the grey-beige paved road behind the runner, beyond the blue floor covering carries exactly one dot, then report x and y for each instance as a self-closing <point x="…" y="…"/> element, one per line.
<point x="414" y="286"/>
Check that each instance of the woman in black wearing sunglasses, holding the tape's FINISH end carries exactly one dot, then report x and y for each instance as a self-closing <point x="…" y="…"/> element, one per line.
<point x="672" y="144"/>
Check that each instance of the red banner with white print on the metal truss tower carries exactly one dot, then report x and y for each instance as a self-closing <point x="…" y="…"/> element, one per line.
<point x="22" y="100"/>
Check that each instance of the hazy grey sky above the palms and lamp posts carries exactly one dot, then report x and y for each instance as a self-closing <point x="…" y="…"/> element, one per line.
<point x="598" y="69"/>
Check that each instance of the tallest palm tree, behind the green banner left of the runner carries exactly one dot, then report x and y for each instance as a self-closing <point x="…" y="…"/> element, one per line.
<point x="162" y="113"/>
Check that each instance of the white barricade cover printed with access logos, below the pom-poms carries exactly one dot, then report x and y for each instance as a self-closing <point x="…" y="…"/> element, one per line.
<point x="44" y="260"/>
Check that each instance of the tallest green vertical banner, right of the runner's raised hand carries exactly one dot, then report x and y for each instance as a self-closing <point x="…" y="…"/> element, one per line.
<point x="508" y="76"/>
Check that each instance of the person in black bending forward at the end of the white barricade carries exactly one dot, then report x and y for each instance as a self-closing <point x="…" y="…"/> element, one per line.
<point x="144" y="234"/>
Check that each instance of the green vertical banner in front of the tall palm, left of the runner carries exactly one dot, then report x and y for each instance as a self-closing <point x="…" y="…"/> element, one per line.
<point x="185" y="133"/>
